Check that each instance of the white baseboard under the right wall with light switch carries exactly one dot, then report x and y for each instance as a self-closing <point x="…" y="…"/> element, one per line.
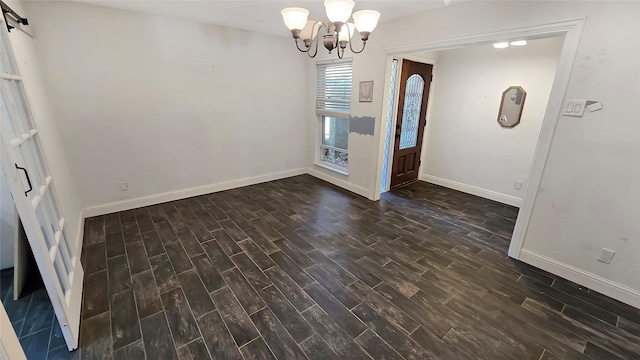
<point x="607" y="287"/>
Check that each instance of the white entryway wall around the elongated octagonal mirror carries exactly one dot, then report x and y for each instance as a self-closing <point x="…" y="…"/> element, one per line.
<point x="464" y="146"/>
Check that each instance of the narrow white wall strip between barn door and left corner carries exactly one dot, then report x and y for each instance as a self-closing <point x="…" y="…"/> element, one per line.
<point x="48" y="126"/>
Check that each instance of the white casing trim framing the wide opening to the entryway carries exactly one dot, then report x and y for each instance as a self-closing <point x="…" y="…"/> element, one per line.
<point x="571" y="30"/>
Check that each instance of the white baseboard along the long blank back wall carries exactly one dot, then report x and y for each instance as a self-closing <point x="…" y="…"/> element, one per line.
<point x="187" y="193"/>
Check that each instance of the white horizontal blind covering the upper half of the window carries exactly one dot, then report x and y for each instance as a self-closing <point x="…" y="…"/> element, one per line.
<point x="333" y="87"/>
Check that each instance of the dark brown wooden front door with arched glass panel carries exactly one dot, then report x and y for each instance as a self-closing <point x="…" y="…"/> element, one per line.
<point x="415" y="81"/>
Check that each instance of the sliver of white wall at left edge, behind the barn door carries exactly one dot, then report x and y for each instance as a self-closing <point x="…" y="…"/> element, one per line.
<point x="7" y="219"/>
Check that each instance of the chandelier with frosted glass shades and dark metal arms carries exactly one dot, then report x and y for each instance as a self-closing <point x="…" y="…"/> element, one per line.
<point x="338" y="30"/>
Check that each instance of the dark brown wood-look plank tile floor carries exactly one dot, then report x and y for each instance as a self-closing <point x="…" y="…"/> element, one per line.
<point x="299" y="269"/>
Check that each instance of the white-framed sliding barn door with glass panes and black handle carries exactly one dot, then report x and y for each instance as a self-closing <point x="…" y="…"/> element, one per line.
<point x="34" y="195"/>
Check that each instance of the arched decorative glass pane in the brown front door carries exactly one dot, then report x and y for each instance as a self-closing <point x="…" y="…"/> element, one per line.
<point x="411" y="112"/>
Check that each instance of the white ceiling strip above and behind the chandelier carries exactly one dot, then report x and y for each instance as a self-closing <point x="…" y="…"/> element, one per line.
<point x="259" y="15"/>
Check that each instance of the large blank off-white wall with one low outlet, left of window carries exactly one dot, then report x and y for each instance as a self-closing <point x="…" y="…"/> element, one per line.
<point x="167" y="104"/>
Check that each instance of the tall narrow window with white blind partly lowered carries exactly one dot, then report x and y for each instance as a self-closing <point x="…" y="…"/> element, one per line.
<point x="333" y="104"/>
